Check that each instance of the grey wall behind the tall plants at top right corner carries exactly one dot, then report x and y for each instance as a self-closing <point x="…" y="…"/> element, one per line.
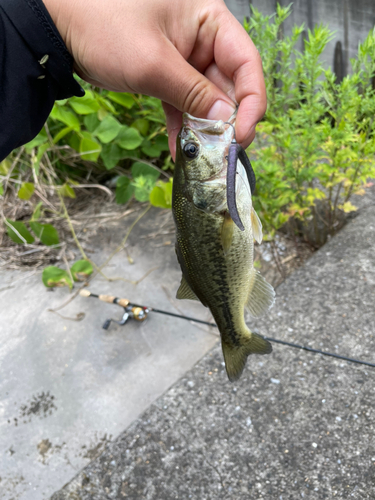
<point x="350" y="19"/>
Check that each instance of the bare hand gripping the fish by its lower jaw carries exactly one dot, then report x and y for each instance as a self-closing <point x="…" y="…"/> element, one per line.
<point x="193" y="55"/>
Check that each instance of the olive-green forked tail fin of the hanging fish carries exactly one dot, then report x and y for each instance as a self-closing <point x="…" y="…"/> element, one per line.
<point x="235" y="356"/>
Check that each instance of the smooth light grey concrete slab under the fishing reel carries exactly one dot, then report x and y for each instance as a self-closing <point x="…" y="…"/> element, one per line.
<point x="66" y="387"/>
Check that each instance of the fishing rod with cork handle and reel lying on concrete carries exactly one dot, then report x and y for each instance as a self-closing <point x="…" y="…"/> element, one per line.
<point x="140" y="314"/>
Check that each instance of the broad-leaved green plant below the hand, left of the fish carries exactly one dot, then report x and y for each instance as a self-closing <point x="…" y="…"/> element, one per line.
<point x="104" y="132"/>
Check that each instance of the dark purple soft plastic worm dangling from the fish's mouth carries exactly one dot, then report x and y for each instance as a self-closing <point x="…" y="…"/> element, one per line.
<point x="236" y="152"/>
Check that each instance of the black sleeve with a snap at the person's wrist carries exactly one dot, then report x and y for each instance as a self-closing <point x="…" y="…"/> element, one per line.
<point x="28" y="88"/>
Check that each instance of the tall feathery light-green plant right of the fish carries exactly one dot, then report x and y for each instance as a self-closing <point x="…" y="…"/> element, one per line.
<point x="316" y="144"/>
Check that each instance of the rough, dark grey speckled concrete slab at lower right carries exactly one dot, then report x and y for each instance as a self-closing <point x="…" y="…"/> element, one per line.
<point x="296" y="425"/>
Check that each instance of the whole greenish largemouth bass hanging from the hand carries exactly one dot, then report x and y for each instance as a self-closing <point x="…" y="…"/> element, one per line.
<point x="216" y="255"/>
